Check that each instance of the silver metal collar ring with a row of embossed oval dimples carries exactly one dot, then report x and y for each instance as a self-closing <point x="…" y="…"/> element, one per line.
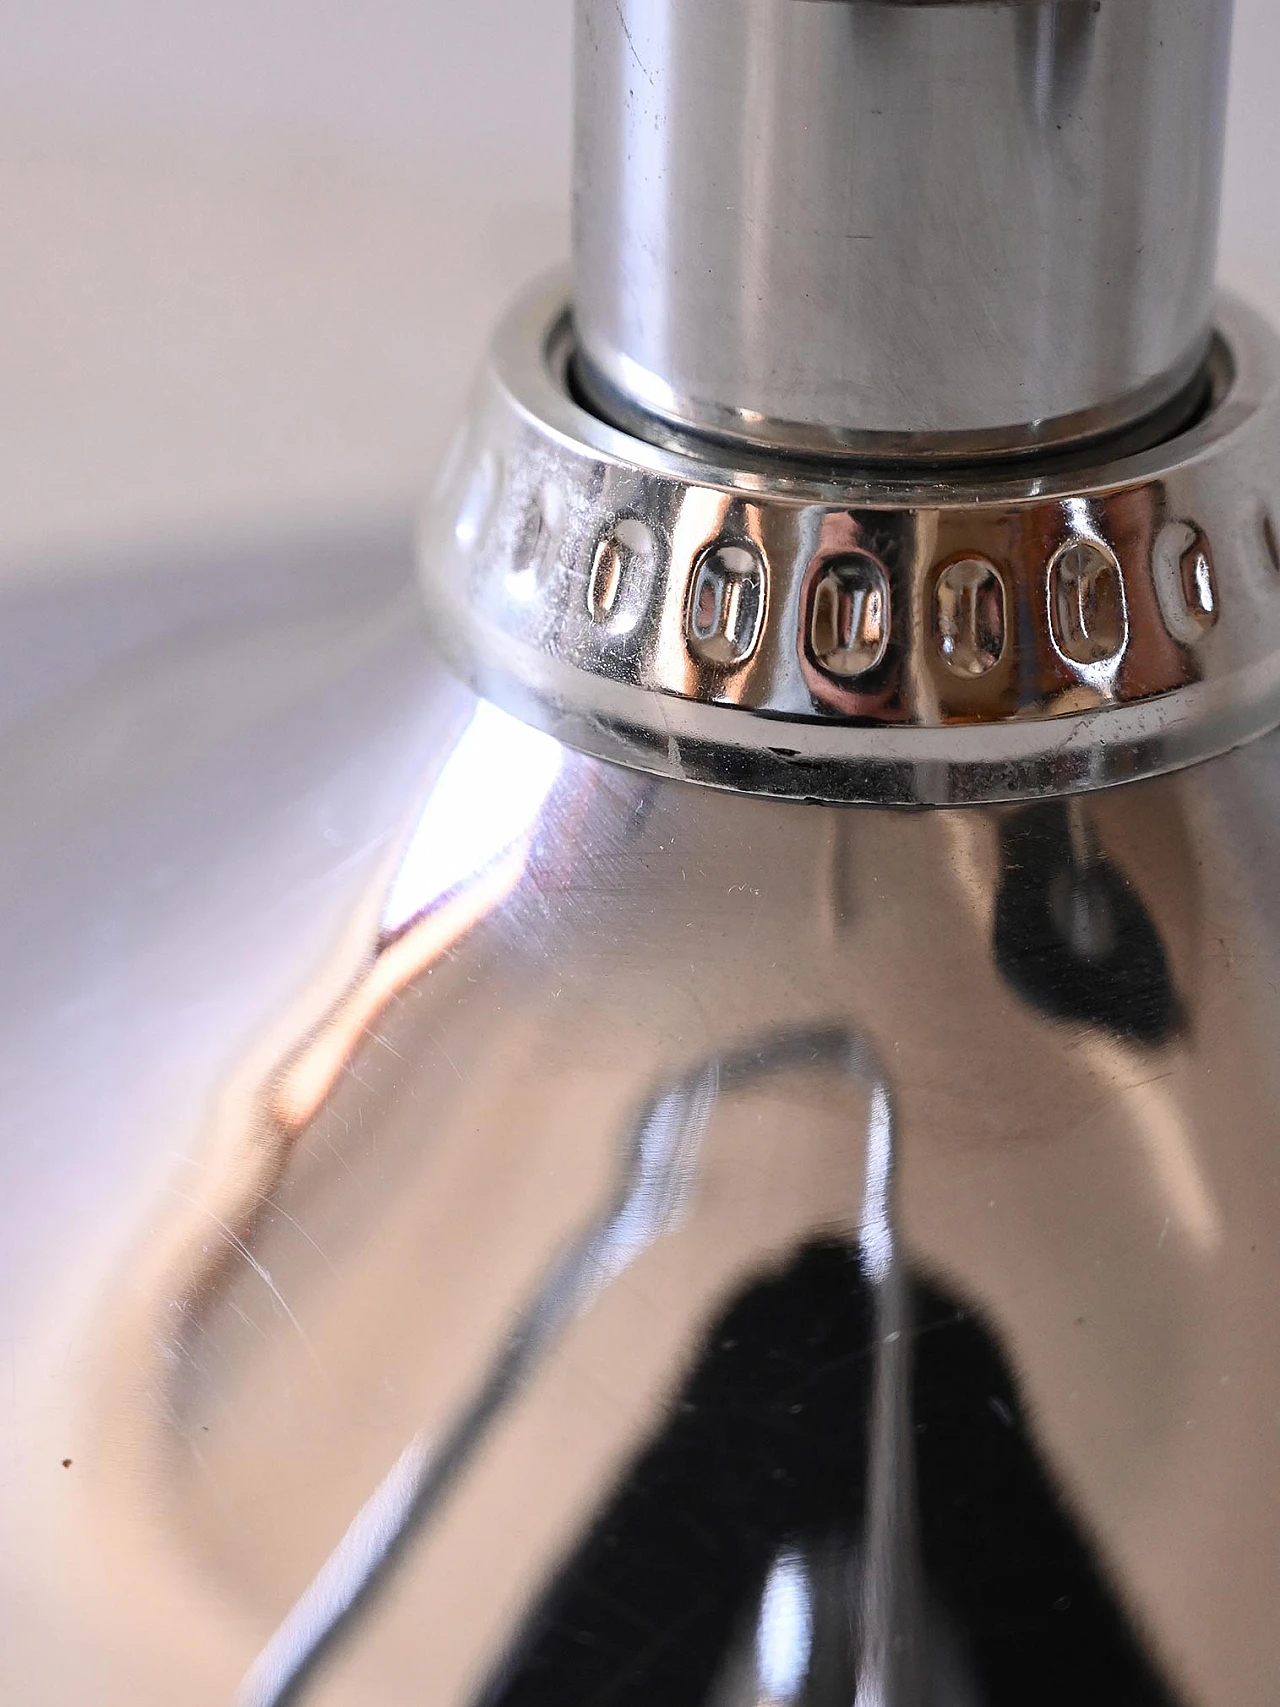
<point x="820" y="634"/>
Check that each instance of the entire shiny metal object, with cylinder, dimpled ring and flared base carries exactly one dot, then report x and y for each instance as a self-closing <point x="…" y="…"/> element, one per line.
<point x="492" y="1226"/>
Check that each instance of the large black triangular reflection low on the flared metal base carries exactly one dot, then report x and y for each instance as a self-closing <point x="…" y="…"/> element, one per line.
<point x="731" y="1566"/>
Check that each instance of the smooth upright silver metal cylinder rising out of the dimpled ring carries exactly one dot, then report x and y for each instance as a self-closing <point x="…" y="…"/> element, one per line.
<point x="897" y="230"/>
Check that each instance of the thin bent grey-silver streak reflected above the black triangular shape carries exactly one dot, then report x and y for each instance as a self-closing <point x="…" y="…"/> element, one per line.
<point x="661" y="1160"/>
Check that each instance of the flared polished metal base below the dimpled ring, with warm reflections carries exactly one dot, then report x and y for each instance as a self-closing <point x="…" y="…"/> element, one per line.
<point x="489" y="1226"/>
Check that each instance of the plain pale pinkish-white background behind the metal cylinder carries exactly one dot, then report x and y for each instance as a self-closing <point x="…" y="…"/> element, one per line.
<point x="252" y="248"/>
